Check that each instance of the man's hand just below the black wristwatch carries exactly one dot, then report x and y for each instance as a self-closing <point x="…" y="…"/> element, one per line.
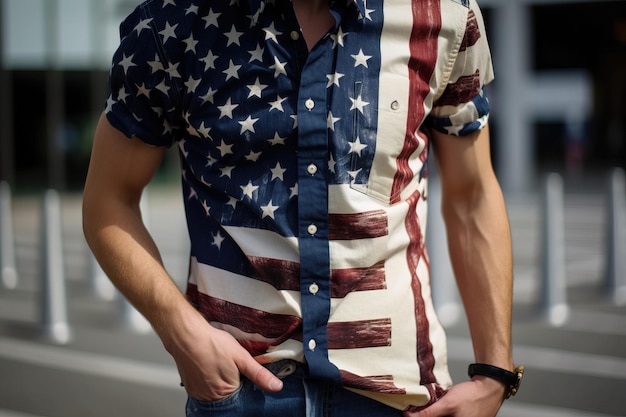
<point x="480" y="397"/>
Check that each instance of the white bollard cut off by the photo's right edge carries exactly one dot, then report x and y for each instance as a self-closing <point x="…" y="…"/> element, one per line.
<point x="616" y="238"/>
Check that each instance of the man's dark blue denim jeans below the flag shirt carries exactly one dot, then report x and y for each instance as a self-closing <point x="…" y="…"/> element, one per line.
<point x="300" y="397"/>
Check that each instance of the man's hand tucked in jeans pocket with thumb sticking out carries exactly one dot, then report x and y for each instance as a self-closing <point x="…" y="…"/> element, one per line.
<point x="210" y="362"/>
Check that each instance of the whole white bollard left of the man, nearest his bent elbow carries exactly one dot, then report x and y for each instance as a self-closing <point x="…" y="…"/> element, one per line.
<point x="53" y="318"/>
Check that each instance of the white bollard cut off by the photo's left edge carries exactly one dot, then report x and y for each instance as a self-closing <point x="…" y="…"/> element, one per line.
<point x="8" y="269"/>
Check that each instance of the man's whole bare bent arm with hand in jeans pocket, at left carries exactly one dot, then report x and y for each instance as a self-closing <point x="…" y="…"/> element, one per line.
<point x="209" y="361"/>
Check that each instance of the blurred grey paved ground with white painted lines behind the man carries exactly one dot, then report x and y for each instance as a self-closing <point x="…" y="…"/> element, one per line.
<point x="109" y="368"/>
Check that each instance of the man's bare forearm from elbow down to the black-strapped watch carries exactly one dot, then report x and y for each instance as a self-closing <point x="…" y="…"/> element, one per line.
<point x="480" y="250"/>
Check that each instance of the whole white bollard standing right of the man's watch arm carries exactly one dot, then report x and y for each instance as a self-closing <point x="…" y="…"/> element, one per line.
<point x="553" y="285"/>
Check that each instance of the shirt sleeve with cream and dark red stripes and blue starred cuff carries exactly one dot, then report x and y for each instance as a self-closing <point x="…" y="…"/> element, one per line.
<point x="463" y="106"/>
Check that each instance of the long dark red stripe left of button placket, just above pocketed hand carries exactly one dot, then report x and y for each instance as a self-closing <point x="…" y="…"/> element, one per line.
<point x="278" y="327"/>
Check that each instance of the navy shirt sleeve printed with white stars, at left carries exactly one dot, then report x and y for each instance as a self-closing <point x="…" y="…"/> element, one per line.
<point x="141" y="94"/>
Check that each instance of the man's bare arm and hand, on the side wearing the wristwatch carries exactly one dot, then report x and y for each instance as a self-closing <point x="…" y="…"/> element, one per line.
<point x="479" y="242"/>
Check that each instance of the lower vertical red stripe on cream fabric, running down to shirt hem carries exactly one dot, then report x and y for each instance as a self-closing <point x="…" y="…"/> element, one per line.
<point x="415" y="251"/>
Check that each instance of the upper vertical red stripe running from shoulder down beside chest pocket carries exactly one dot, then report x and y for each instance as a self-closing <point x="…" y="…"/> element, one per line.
<point x="423" y="48"/>
